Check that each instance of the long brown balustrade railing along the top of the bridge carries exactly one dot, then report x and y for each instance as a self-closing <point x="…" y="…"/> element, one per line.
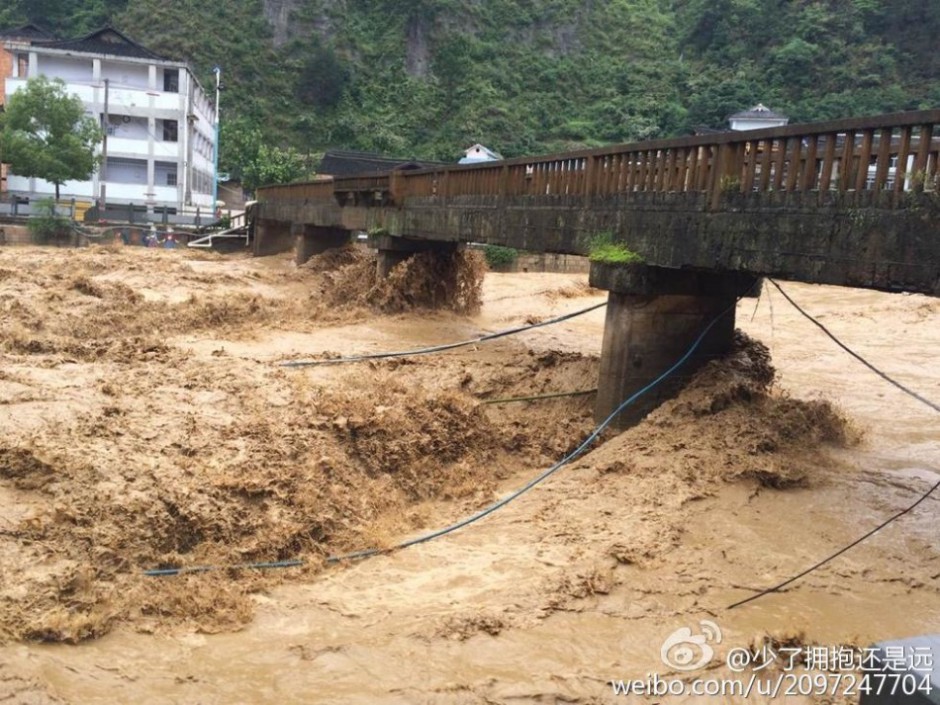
<point x="884" y="154"/>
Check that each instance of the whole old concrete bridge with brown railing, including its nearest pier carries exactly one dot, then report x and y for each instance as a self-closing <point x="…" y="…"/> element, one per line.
<point x="853" y="203"/>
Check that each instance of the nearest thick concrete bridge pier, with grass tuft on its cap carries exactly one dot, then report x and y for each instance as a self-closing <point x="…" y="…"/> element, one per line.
<point x="653" y="316"/>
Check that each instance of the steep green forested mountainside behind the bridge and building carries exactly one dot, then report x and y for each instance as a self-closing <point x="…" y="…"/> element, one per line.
<point x="425" y="78"/>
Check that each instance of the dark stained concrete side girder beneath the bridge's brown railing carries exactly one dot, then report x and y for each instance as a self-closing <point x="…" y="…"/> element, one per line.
<point x="827" y="238"/>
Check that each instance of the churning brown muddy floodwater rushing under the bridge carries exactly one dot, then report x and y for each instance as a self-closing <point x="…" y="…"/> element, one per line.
<point x="145" y="422"/>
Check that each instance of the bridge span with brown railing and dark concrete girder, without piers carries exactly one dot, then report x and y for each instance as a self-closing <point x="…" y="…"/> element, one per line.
<point x="853" y="202"/>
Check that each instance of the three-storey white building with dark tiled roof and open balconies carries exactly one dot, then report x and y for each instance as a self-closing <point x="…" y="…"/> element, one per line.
<point x="161" y="124"/>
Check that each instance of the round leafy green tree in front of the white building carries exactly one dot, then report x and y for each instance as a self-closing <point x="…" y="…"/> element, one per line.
<point x="46" y="134"/>
